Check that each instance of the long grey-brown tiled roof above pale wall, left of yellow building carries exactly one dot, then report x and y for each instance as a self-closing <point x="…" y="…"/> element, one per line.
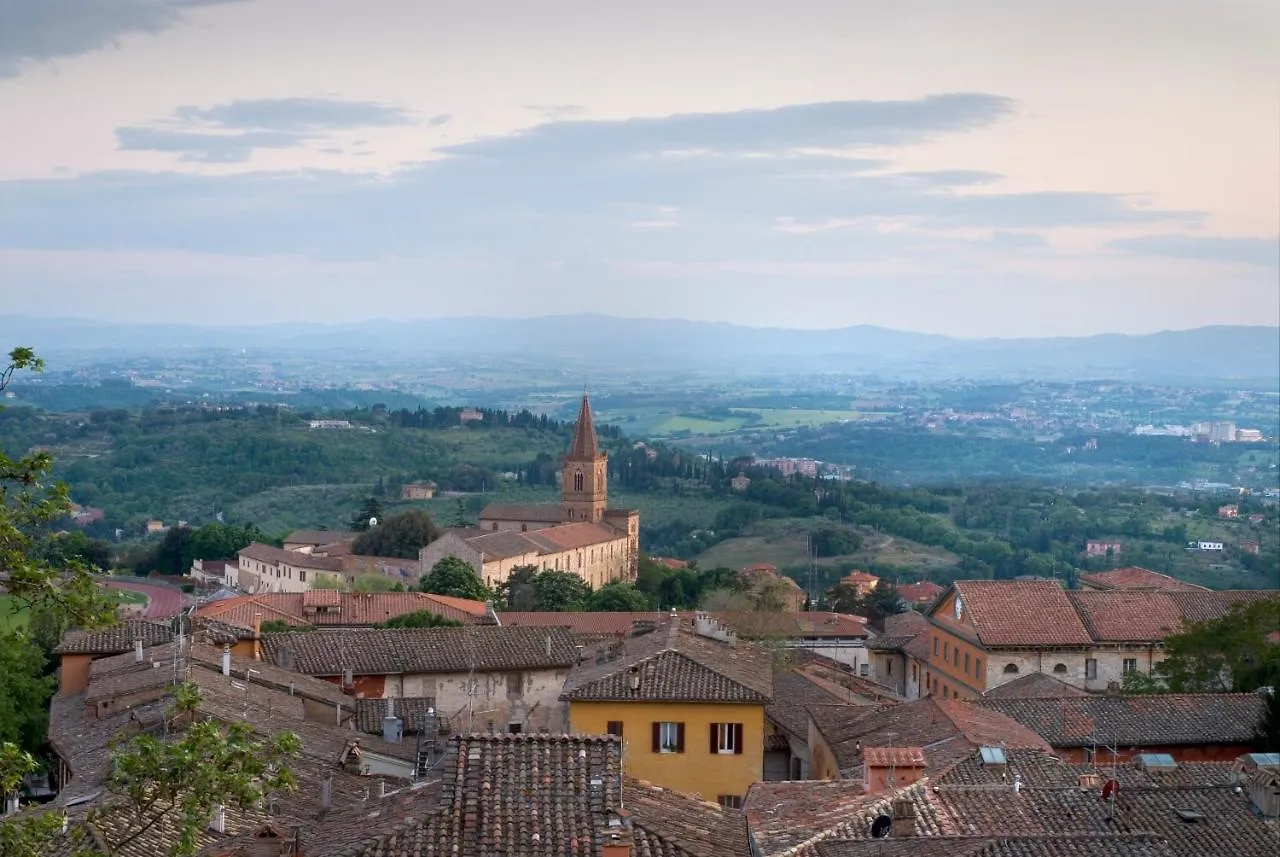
<point x="392" y="652"/>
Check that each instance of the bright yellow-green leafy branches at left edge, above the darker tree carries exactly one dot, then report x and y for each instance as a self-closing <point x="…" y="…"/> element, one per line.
<point x="29" y="506"/>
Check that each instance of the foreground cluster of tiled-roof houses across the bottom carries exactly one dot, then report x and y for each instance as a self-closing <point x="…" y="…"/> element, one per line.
<point x="990" y="725"/>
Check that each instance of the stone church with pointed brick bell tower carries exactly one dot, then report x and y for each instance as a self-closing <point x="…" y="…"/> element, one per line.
<point x="582" y="535"/>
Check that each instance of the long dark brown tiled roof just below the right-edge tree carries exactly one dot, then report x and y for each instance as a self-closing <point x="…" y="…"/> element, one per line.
<point x="1159" y="719"/>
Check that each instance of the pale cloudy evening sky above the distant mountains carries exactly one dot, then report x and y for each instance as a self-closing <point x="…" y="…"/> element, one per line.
<point x="979" y="168"/>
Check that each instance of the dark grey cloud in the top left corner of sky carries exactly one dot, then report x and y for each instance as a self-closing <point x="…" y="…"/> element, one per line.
<point x="34" y="31"/>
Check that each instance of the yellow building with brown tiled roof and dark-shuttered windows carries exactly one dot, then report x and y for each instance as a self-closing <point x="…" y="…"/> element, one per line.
<point x="688" y="702"/>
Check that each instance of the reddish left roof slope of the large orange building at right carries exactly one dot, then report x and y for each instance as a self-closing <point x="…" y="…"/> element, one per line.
<point x="1022" y="613"/>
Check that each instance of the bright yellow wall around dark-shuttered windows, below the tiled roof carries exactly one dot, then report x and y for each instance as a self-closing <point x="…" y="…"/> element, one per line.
<point x="697" y="771"/>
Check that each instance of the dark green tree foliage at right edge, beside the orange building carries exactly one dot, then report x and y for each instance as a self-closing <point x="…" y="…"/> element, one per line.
<point x="1232" y="654"/>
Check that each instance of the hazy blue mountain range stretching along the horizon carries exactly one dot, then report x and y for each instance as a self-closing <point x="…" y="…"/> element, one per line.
<point x="1250" y="355"/>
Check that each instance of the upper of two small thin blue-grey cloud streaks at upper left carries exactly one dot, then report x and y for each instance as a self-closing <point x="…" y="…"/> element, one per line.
<point x="296" y="114"/>
